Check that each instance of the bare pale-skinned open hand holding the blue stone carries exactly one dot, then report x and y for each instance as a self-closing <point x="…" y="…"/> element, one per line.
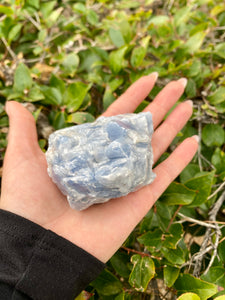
<point x="28" y="191"/>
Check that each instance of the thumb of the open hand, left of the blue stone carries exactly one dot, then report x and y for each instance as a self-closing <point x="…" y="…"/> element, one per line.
<point x="22" y="128"/>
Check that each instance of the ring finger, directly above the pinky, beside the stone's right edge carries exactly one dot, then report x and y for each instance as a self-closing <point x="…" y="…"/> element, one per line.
<point x="170" y="128"/>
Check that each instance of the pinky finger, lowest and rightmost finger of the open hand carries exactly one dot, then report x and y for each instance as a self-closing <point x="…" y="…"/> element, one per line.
<point x="170" y="168"/>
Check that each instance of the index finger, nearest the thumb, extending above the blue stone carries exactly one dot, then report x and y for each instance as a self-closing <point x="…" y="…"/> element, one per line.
<point x="133" y="96"/>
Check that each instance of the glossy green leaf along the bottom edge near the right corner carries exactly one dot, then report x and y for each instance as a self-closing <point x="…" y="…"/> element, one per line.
<point x="188" y="283"/>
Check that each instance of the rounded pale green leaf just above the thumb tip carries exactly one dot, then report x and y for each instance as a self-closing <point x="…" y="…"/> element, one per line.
<point x="22" y="79"/>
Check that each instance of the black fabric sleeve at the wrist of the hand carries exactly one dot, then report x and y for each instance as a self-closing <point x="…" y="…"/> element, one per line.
<point x="36" y="263"/>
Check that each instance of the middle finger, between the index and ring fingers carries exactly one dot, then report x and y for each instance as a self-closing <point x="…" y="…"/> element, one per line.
<point x="165" y="100"/>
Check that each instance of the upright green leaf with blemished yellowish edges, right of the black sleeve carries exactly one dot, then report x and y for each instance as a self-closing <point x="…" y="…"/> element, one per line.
<point x="143" y="271"/>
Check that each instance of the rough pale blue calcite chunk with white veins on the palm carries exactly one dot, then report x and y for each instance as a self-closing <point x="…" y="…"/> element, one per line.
<point x="94" y="162"/>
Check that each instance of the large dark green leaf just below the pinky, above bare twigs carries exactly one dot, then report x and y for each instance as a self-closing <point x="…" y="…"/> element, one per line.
<point x="202" y="184"/>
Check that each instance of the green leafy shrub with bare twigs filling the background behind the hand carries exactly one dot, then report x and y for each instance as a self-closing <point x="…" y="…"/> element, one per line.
<point x="69" y="60"/>
